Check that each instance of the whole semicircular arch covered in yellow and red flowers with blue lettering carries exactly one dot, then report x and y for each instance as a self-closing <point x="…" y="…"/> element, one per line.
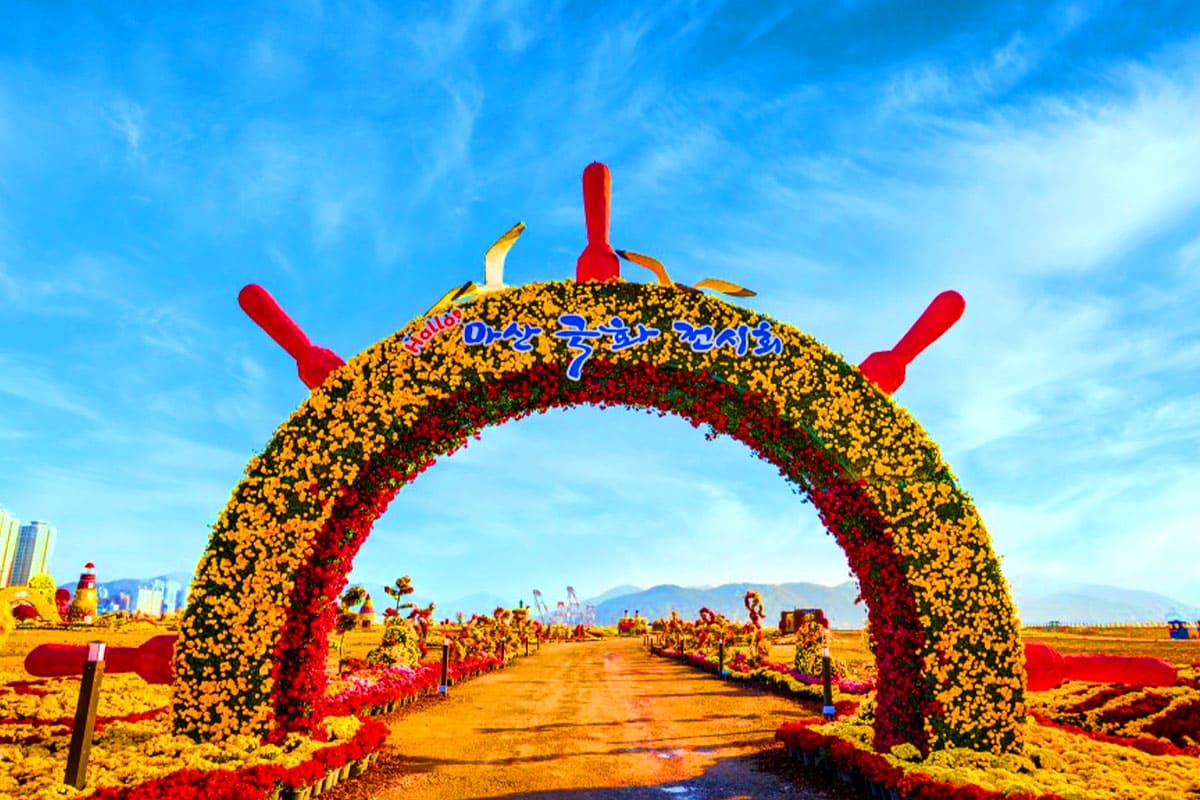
<point x="253" y="652"/>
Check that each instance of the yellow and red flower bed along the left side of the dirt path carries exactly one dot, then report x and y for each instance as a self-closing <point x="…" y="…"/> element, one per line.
<point x="136" y="755"/>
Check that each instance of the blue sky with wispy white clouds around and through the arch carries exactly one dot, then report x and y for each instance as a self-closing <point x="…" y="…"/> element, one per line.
<point x="848" y="161"/>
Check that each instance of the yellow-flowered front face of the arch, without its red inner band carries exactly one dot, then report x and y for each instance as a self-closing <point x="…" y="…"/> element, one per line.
<point x="970" y="657"/>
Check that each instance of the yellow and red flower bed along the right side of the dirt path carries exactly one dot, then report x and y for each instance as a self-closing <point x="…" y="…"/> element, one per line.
<point x="1159" y="759"/>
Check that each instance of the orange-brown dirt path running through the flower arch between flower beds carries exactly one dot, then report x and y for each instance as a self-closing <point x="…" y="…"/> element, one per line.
<point x="591" y="721"/>
